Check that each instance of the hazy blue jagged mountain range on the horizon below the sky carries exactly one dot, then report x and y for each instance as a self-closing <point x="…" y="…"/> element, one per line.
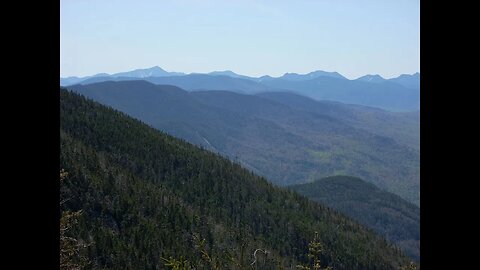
<point x="396" y="94"/>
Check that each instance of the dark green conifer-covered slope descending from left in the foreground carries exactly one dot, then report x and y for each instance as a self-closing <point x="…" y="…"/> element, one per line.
<point x="143" y="195"/>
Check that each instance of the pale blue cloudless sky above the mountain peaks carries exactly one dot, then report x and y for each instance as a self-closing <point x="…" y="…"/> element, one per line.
<point x="249" y="37"/>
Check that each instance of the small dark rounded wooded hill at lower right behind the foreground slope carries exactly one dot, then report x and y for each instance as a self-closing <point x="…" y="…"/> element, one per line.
<point x="387" y="214"/>
